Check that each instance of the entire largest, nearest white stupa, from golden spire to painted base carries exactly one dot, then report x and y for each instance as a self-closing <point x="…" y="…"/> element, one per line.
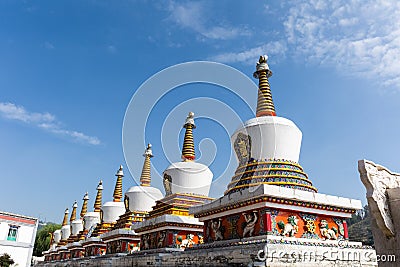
<point x="270" y="200"/>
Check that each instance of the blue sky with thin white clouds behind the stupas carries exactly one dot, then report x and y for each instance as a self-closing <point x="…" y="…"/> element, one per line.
<point x="68" y="70"/>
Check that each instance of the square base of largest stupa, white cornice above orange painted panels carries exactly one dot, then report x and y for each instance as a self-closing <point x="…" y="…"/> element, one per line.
<point x="279" y="211"/>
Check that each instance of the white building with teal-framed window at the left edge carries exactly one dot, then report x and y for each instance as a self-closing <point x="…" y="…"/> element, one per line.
<point x="17" y="237"/>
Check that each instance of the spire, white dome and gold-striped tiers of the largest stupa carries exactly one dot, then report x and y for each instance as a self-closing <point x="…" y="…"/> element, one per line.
<point x="267" y="146"/>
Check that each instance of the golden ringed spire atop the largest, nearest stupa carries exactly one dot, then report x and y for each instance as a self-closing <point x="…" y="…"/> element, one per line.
<point x="265" y="105"/>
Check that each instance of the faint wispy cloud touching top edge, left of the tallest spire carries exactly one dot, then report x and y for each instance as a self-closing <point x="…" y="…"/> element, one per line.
<point x="192" y="16"/>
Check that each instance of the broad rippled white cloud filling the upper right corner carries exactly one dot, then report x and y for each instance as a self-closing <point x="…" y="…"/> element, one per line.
<point x="356" y="37"/>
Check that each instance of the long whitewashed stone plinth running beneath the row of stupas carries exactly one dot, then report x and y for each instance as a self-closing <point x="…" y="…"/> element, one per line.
<point x="260" y="251"/>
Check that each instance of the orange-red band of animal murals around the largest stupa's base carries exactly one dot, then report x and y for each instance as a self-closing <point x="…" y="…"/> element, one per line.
<point x="274" y="222"/>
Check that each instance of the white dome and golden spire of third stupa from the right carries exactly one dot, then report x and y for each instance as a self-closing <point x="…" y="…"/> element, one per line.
<point x="143" y="197"/>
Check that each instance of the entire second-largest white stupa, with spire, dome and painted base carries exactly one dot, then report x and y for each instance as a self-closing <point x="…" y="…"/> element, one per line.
<point x="186" y="184"/>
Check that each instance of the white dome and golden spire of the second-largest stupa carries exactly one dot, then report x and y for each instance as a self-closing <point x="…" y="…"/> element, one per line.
<point x="188" y="176"/>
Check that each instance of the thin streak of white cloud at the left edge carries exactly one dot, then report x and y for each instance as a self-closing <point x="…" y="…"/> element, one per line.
<point x="45" y="121"/>
